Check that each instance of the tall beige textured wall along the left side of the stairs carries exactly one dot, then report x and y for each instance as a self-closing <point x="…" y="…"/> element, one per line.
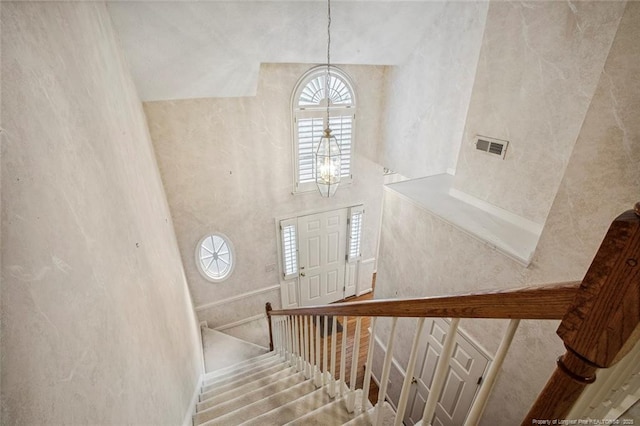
<point x="97" y="322"/>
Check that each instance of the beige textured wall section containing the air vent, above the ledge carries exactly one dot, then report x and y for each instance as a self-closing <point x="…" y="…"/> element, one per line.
<point x="538" y="68"/>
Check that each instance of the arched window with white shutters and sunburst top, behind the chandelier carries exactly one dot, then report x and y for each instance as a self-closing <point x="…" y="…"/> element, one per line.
<point x="309" y="106"/>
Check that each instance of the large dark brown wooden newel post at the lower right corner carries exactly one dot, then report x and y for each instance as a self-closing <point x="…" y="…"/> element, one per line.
<point x="602" y="325"/>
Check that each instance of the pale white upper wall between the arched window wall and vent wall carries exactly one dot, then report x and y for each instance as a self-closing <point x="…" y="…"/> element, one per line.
<point x="428" y="94"/>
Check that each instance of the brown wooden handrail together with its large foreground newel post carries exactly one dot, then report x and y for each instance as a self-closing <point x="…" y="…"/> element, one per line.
<point x="600" y="315"/>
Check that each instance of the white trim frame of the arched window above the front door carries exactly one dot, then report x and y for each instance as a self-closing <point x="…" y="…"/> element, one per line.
<point x="313" y="111"/>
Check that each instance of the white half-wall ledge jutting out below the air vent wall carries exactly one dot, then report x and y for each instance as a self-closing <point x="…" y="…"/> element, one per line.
<point x="507" y="233"/>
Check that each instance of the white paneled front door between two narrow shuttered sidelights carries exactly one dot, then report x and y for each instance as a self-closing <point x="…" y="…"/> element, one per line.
<point x="322" y="250"/>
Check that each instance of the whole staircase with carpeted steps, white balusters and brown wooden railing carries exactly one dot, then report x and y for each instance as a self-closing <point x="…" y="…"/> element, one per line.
<point x="298" y="382"/>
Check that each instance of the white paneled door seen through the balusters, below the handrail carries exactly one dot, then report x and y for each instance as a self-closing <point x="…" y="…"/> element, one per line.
<point x="463" y="378"/>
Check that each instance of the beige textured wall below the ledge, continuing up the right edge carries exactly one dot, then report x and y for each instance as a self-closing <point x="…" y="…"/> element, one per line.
<point x="601" y="180"/>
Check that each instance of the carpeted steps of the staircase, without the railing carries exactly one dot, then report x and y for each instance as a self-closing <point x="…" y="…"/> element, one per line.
<point x="270" y="390"/>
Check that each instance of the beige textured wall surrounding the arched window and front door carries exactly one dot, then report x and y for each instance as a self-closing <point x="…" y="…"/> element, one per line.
<point x="226" y="164"/>
